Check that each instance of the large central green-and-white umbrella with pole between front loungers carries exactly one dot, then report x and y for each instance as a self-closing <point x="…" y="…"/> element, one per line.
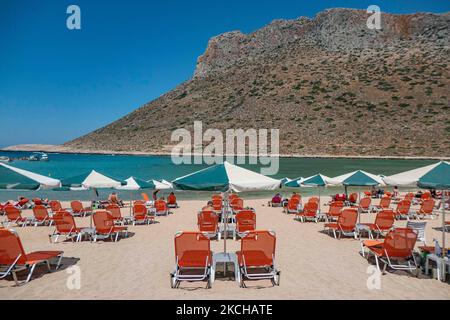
<point x="226" y="177"/>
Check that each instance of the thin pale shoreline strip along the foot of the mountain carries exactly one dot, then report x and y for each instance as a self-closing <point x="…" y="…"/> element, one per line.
<point x="64" y="150"/>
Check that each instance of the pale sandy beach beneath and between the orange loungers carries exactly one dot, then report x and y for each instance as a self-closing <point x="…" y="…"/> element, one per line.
<point x="313" y="264"/>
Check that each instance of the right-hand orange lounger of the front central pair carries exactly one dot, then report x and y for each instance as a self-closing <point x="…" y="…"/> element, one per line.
<point x="257" y="257"/>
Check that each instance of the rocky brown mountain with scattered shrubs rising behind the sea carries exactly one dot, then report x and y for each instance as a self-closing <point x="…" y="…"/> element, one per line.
<point x="330" y="84"/>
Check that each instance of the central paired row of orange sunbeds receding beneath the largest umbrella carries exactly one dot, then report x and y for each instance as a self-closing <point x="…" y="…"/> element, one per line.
<point x="255" y="260"/>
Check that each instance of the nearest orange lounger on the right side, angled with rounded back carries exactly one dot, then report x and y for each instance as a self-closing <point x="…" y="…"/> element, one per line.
<point x="397" y="246"/>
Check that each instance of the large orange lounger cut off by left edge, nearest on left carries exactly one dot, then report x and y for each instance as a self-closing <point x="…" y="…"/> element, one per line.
<point x="14" y="259"/>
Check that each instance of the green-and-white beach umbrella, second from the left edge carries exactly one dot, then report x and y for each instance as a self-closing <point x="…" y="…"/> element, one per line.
<point x="90" y="180"/>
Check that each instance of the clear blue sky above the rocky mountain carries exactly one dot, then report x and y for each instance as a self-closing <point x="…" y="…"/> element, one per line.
<point x="56" y="84"/>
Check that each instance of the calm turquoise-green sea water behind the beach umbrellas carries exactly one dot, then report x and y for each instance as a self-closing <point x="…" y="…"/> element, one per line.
<point x="161" y="167"/>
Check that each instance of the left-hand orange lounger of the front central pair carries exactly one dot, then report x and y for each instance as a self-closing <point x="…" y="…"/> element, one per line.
<point x="193" y="259"/>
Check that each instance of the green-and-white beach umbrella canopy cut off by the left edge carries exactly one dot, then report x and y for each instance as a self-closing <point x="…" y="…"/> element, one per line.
<point x="12" y="178"/>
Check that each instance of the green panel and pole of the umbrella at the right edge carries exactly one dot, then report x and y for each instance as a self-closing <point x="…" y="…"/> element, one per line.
<point x="438" y="178"/>
